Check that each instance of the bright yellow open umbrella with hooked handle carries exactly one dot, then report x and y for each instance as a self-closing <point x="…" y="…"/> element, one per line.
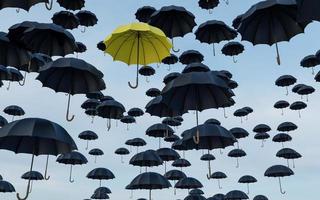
<point x="138" y="43"/>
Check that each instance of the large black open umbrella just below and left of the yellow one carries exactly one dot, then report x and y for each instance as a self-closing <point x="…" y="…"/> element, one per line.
<point x="68" y="74"/>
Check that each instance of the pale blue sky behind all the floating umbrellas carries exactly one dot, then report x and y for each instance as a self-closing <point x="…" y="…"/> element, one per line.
<point x="255" y="71"/>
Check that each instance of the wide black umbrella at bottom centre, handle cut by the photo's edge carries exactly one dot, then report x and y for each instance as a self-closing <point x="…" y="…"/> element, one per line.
<point x="149" y="181"/>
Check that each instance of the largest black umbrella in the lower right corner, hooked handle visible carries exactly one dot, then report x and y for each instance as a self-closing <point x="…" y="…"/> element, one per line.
<point x="279" y="171"/>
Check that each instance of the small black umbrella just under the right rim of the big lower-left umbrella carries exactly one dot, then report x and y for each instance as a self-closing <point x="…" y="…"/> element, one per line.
<point x="72" y="158"/>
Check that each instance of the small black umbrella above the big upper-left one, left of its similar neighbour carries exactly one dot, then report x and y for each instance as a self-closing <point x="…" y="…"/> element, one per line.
<point x="66" y="19"/>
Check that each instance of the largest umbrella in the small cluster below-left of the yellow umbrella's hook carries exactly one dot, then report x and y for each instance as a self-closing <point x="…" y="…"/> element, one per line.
<point x="110" y="109"/>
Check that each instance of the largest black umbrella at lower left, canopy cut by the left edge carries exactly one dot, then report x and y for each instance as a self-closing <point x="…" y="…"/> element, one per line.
<point x="37" y="137"/>
